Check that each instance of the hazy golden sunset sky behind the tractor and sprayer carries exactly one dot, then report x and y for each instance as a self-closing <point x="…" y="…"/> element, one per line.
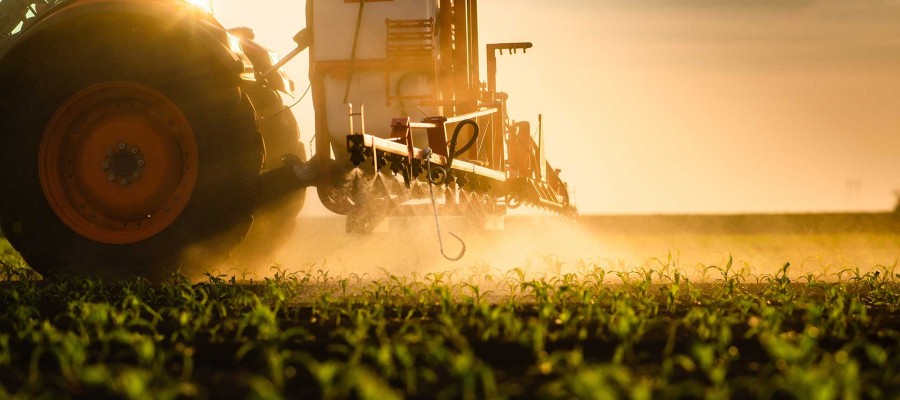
<point x="688" y="106"/>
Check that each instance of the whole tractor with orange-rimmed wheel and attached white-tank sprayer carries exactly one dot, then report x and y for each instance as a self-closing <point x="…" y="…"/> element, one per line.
<point x="142" y="137"/>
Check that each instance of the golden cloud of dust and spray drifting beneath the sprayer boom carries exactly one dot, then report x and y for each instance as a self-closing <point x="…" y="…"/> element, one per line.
<point x="406" y="246"/>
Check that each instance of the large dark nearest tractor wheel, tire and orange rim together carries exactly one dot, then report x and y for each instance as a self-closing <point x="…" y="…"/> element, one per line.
<point x="128" y="149"/>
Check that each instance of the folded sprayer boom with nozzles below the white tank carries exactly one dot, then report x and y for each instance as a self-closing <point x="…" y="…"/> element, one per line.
<point x="434" y="162"/>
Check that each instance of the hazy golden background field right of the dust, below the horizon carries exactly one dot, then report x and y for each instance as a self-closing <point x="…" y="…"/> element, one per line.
<point x="812" y="243"/>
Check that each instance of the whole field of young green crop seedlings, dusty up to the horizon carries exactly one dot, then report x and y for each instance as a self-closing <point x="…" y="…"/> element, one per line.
<point x="611" y="307"/>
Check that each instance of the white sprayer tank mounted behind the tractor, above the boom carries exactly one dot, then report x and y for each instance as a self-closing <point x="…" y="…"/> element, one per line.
<point x="334" y="30"/>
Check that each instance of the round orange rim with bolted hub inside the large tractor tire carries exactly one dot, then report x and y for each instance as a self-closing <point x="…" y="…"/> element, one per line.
<point x="118" y="162"/>
